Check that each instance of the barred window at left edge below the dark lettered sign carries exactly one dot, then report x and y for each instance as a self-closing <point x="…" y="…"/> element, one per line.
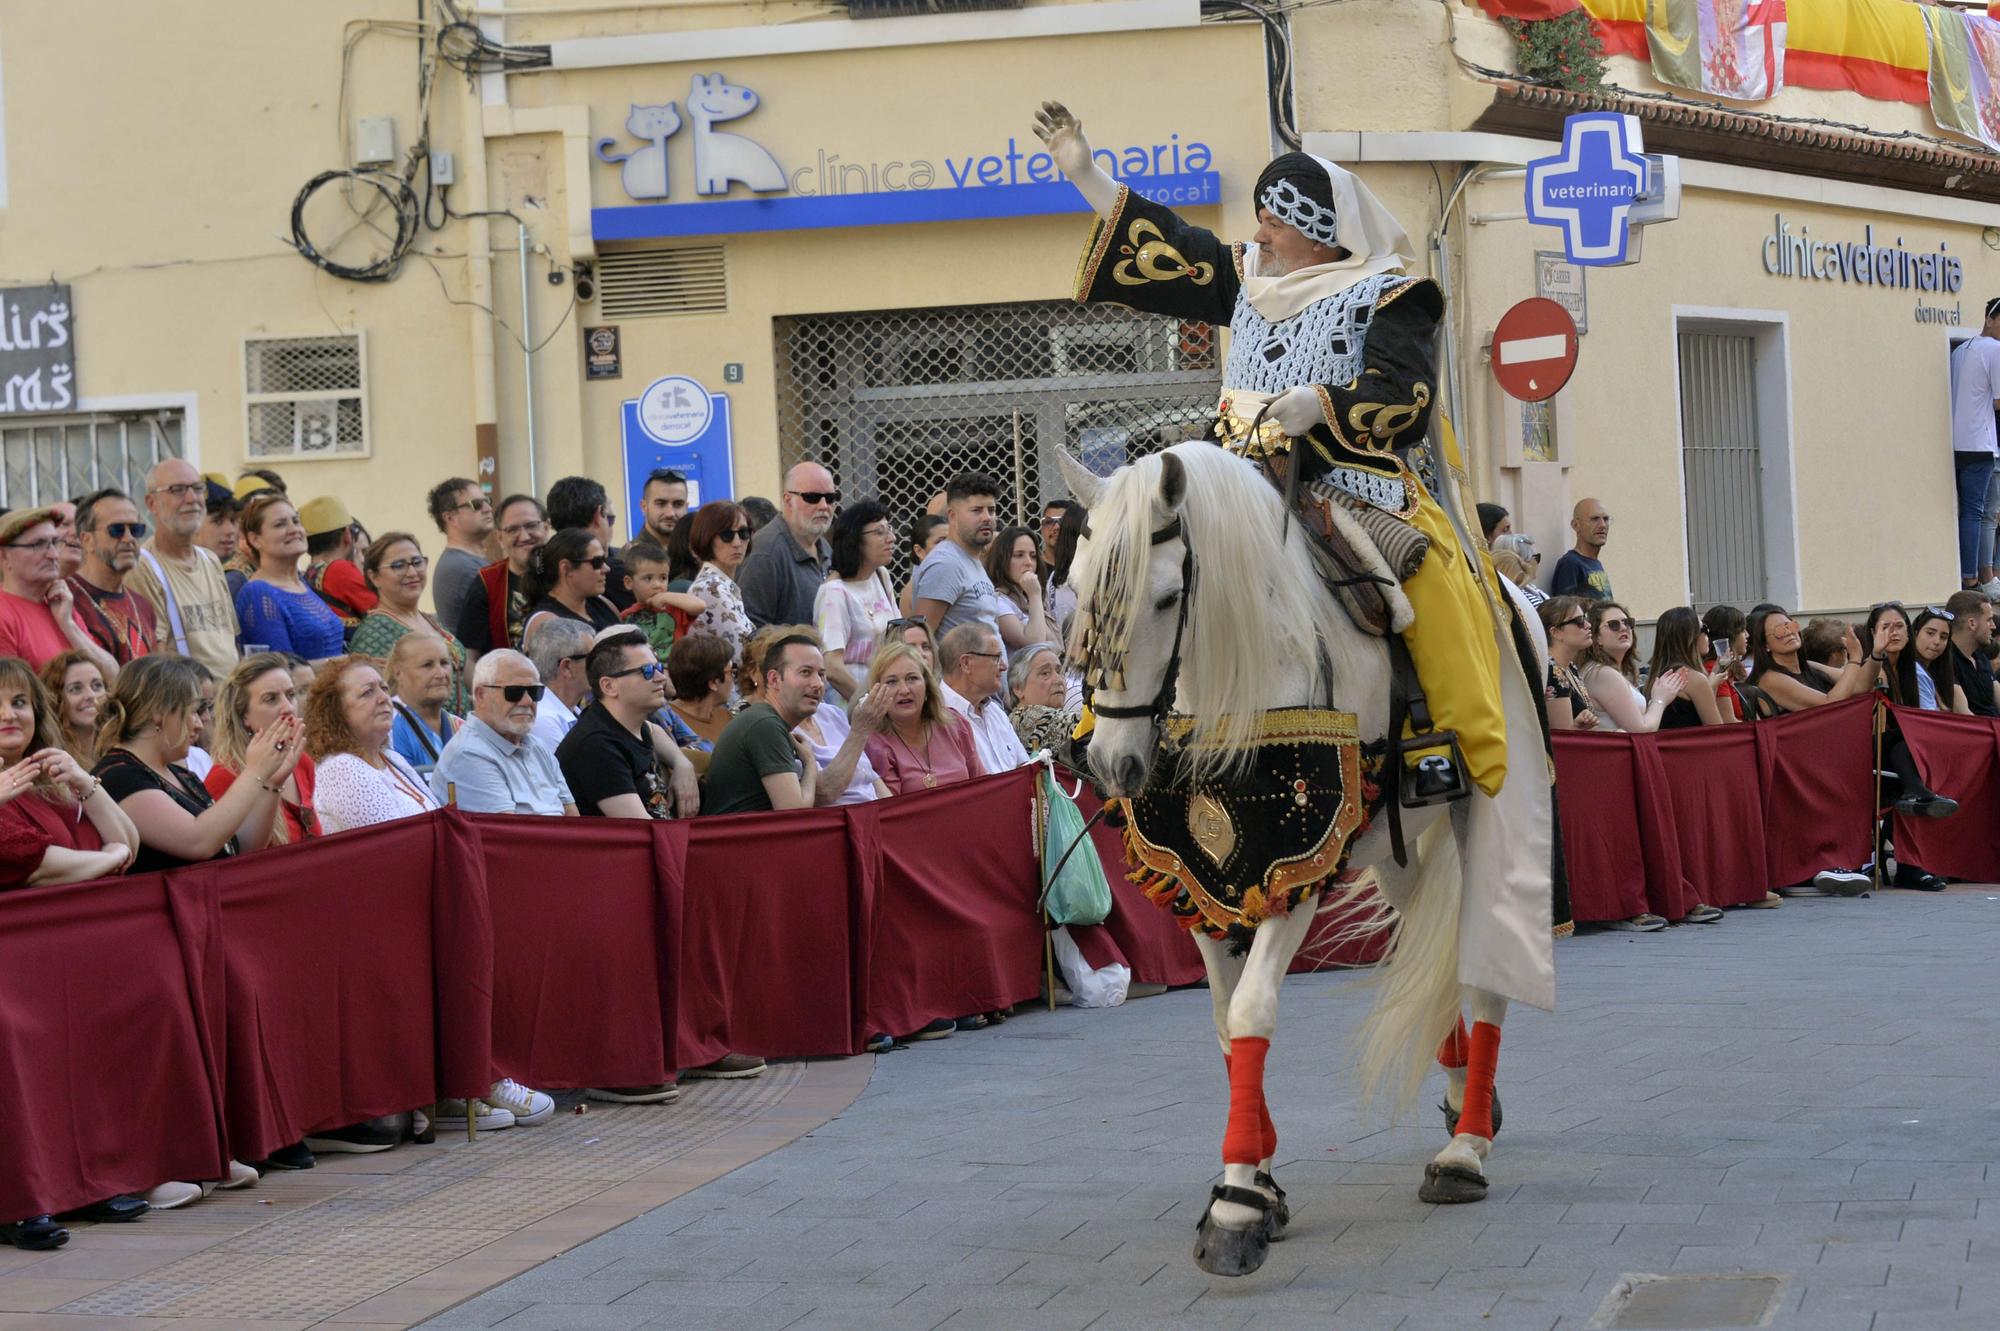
<point x="51" y="459"/>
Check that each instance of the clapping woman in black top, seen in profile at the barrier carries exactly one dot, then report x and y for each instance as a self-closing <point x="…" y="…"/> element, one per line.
<point x="145" y="740"/>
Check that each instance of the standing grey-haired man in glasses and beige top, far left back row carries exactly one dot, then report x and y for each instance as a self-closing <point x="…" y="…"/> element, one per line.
<point x="185" y="583"/>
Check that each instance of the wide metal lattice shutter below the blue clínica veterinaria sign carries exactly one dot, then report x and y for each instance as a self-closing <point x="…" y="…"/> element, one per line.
<point x="899" y="403"/>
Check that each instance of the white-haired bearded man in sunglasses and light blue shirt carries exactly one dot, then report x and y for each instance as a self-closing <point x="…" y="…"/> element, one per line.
<point x="497" y="764"/>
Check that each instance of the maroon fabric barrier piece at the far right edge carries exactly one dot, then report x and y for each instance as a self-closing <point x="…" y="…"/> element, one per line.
<point x="1957" y="756"/>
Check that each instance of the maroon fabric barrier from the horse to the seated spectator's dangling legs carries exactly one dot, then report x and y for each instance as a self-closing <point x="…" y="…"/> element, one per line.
<point x="1661" y="822"/>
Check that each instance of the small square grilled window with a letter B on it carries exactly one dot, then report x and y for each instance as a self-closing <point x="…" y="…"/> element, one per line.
<point x="305" y="399"/>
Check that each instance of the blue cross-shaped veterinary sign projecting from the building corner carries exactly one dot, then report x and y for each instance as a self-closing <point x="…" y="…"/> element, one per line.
<point x="1591" y="187"/>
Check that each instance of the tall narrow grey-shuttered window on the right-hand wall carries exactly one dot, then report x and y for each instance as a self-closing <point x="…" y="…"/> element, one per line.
<point x="1723" y="465"/>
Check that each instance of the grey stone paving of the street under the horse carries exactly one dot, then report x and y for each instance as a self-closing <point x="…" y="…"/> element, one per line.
<point x="1805" y="1092"/>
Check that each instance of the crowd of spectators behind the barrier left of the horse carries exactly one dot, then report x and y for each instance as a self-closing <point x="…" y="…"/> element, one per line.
<point x="211" y="670"/>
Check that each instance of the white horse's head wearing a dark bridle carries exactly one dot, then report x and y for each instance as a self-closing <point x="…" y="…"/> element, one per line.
<point x="1129" y="631"/>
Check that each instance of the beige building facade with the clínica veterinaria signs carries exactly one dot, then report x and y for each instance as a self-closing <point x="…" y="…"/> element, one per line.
<point x="741" y="235"/>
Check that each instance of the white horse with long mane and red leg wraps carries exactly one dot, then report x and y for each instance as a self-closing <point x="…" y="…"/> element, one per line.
<point x="1261" y="633"/>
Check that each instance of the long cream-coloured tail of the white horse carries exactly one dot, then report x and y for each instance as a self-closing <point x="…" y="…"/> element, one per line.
<point x="1417" y="990"/>
